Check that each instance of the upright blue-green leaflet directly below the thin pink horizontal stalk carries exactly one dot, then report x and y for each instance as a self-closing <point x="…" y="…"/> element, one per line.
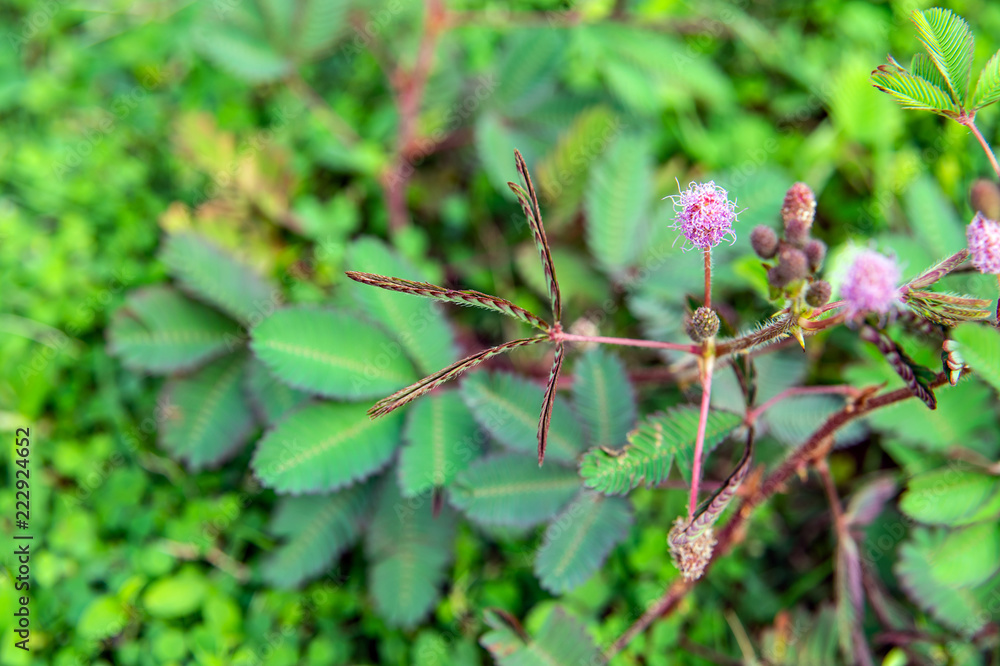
<point x="604" y="398"/>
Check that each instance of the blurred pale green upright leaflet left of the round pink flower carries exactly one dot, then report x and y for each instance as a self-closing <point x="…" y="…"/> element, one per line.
<point x="617" y="202"/>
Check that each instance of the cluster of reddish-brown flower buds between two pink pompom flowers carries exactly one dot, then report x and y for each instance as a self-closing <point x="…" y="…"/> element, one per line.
<point x="796" y="256"/>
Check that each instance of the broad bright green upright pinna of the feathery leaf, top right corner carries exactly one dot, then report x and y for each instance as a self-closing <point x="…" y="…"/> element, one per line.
<point x="948" y="41"/>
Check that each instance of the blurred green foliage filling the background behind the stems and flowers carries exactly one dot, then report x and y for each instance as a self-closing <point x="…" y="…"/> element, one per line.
<point x="195" y="169"/>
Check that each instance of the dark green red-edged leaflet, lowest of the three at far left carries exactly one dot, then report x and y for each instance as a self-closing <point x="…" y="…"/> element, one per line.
<point x="206" y="417"/>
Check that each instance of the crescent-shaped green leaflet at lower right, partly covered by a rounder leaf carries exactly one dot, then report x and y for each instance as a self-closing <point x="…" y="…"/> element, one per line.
<point x="919" y="571"/>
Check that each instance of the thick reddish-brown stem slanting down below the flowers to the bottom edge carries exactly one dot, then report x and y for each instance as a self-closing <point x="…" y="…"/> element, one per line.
<point x="817" y="444"/>
